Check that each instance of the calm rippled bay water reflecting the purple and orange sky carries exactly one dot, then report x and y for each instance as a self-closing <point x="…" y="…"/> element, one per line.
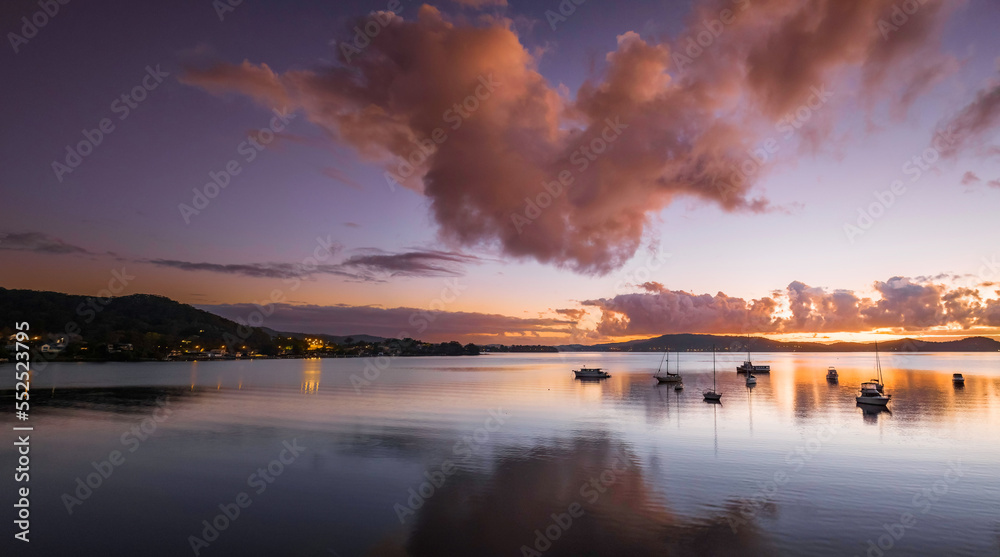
<point x="627" y="467"/>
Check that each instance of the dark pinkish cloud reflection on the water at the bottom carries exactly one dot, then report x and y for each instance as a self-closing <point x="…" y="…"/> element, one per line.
<point x="620" y="512"/>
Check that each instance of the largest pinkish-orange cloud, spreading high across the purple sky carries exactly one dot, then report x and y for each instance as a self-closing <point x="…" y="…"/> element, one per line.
<point x="650" y="127"/>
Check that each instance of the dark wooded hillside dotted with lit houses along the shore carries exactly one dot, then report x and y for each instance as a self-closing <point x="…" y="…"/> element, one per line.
<point x="145" y="327"/>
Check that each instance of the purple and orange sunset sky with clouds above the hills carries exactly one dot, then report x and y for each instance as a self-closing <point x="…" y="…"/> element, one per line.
<point x="516" y="172"/>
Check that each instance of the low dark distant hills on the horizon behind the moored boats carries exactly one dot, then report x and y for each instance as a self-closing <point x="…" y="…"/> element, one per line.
<point x="723" y="343"/>
